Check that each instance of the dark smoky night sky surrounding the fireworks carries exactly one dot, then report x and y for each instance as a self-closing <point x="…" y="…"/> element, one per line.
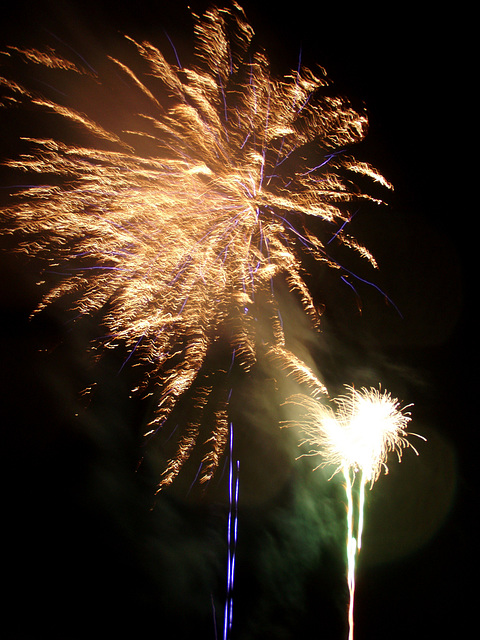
<point x="88" y="550"/>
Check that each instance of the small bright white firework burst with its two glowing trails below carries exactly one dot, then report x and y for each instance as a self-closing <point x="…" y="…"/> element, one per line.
<point x="356" y="439"/>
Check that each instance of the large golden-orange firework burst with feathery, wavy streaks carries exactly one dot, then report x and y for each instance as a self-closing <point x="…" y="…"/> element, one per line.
<point x="176" y="225"/>
